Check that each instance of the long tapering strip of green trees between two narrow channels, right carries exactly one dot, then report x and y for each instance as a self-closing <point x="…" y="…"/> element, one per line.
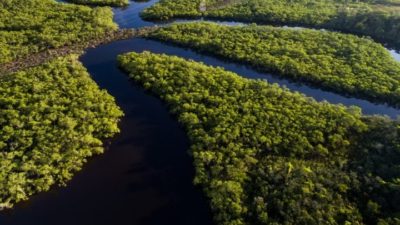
<point x="342" y="63"/>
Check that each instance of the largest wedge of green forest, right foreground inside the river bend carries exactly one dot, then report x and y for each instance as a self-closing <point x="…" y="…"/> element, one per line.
<point x="265" y="155"/>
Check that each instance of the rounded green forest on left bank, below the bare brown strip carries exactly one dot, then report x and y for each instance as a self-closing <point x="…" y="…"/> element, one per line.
<point x="52" y="118"/>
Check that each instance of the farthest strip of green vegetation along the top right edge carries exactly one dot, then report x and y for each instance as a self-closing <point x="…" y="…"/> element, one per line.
<point x="378" y="19"/>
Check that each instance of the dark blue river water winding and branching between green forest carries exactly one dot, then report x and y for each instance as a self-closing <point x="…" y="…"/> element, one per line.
<point x="145" y="176"/>
